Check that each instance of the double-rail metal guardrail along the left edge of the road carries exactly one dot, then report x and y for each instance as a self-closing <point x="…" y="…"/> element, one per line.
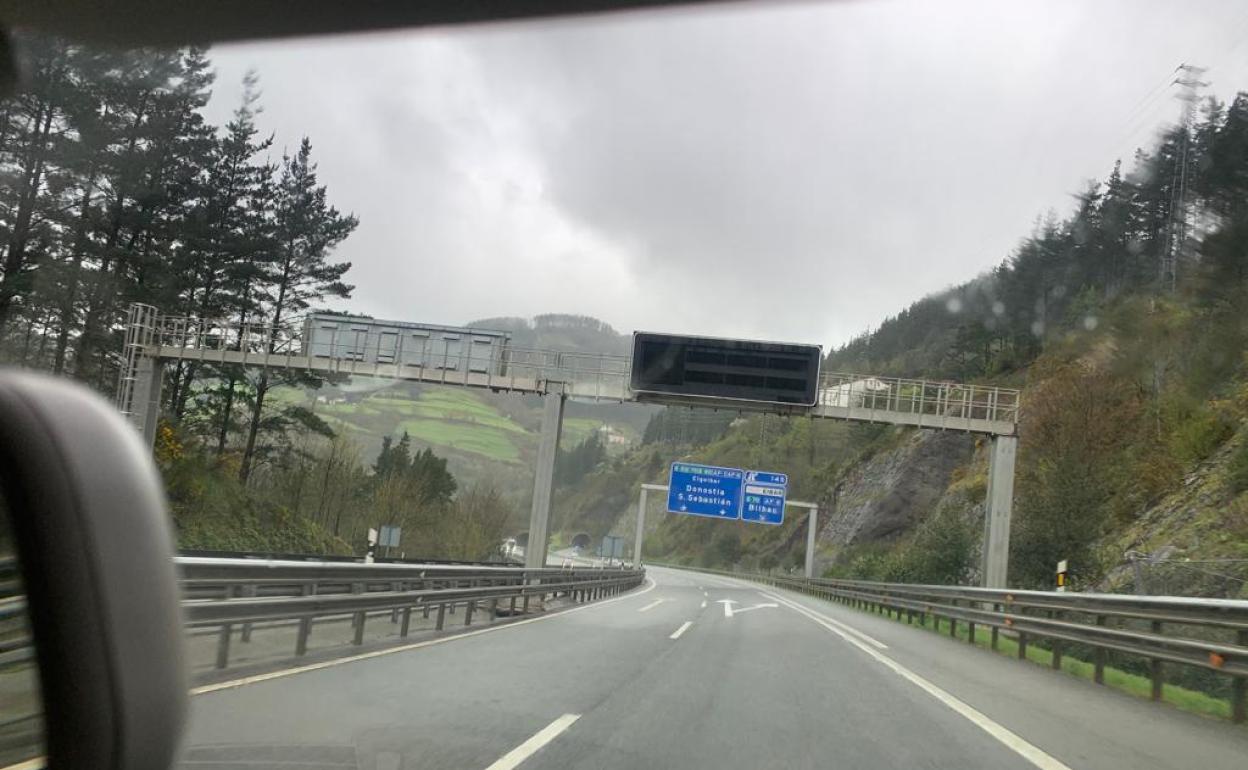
<point x="229" y="593"/>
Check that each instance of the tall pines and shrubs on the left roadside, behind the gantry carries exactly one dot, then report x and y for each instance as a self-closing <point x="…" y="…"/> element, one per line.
<point x="115" y="189"/>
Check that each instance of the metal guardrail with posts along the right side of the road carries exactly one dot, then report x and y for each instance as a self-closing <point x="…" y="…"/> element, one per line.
<point x="1205" y="633"/>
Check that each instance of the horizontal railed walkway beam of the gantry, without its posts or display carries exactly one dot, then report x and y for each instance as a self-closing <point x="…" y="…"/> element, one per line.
<point x="582" y="376"/>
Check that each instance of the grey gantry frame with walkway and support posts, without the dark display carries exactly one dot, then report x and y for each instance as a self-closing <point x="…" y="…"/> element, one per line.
<point x="154" y="340"/>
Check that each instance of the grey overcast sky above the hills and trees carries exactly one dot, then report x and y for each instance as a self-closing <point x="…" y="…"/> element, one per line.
<point x="792" y="173"/>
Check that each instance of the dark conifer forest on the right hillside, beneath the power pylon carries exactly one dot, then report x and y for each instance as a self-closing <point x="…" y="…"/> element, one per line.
<point x="1070" y="270"/>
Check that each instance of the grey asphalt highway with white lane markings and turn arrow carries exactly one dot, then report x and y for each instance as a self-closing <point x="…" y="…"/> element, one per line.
<point x="692" y="671"/>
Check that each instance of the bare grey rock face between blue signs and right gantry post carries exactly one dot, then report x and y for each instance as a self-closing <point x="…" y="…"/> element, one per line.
<point x="887" y="495"/>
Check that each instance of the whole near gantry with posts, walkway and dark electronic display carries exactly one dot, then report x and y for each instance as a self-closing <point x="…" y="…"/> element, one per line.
<point x="738" y="375"/>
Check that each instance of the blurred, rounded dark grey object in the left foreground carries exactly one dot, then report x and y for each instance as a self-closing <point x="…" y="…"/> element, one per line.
<point x="95" y="551"/>
